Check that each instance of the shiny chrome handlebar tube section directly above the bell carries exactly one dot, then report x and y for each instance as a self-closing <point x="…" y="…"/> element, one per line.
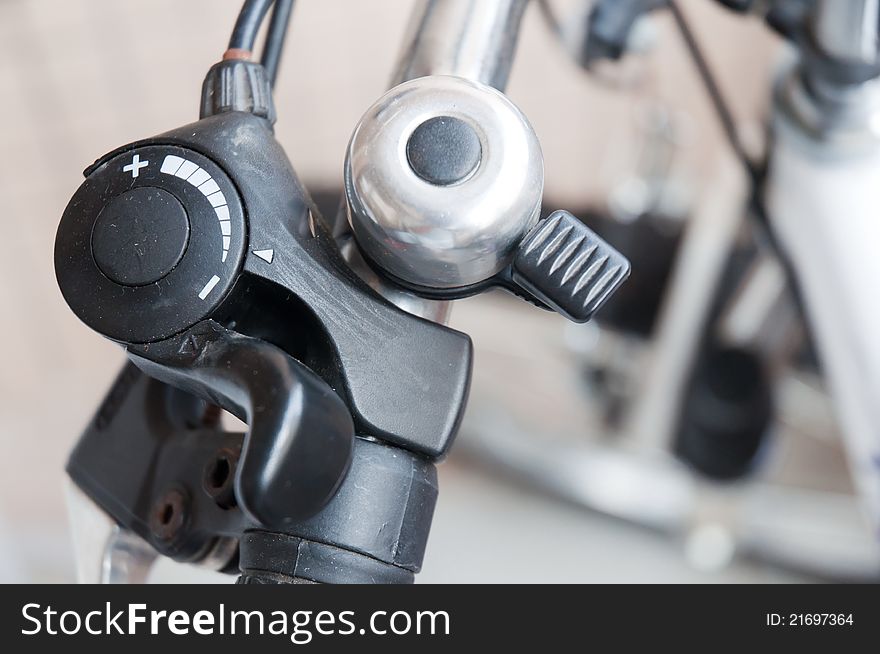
<point x="475" y="39"/>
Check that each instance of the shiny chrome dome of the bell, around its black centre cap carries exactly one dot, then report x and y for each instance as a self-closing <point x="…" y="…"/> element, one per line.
<point x="443" y="236"/>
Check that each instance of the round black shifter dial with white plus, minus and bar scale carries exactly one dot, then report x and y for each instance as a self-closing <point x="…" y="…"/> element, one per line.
<point x="150" y="243"/>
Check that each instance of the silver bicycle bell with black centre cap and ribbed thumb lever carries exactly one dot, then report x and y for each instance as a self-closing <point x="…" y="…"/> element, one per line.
<point x="460" y="212"/>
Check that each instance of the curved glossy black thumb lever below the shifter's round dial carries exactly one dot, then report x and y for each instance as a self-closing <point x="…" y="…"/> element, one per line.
<point x="298" y="446"/>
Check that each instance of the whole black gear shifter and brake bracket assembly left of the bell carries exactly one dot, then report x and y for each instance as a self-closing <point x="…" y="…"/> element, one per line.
<point x="200" y="252"/>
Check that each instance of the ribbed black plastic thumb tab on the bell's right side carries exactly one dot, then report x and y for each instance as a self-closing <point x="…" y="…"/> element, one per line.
<point x="565" y="265"/>
